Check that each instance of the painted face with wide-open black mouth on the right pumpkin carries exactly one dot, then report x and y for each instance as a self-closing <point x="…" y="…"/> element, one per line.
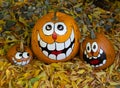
<point x="94" y="55"/>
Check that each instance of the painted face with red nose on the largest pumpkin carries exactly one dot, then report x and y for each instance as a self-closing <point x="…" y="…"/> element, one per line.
<point x="56" y="50"/>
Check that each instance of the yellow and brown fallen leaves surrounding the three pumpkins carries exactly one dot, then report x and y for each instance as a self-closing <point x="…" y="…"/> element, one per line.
<point x="17" y="18"/>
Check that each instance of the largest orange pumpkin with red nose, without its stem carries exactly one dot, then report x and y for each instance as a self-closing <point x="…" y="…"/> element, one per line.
<point x="60" y="43"/>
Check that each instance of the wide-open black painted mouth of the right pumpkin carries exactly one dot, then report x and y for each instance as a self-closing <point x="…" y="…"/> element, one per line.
<point x="98" y="61"/>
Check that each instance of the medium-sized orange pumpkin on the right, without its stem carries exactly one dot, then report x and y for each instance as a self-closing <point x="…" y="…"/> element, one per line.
<point x="98" y="52"/>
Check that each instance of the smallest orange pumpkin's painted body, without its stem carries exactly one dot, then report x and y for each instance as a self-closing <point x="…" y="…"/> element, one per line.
<point x="15" y="56"/>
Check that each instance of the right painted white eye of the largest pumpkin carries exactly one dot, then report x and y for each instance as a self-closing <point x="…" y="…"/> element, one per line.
<point x="60" y="28"/>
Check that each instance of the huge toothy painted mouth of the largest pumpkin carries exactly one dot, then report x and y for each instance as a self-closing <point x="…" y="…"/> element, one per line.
<point x="57" y="51"/>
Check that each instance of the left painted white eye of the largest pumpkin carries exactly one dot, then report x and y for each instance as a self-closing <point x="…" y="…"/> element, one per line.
<point x="48" y="28"/>
